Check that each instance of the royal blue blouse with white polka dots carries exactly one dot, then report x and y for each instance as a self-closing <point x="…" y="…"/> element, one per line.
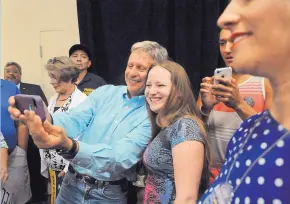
<point x="257" y="165"/>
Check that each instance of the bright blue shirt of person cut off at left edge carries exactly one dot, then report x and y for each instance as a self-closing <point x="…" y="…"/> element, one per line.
<point x="7" y="127"/>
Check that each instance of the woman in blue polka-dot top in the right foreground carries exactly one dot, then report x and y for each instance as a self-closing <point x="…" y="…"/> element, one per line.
<point x="257" y="164"/>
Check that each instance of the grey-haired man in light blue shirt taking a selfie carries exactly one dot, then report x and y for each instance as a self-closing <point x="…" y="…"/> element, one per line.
<point x="112" y="128"/>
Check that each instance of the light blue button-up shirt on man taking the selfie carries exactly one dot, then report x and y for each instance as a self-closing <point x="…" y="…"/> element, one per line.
<point x="113" y="132"/>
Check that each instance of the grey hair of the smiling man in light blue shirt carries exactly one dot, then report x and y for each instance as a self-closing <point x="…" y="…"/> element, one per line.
<point x="154" y="49"/>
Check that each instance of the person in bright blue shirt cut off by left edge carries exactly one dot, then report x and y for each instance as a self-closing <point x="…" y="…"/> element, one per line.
<point x="14" y="173"/>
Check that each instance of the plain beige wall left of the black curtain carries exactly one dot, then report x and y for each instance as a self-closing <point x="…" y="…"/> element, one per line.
<point x="21" y="27"/>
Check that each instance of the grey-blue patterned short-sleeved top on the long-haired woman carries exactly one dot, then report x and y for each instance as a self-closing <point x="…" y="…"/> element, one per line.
<point x="160" y="186"/>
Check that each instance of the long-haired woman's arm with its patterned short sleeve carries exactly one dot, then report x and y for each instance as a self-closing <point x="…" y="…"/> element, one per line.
<point x="188" y="152"/>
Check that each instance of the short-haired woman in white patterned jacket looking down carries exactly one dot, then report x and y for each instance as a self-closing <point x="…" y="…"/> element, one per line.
<point x="63" y="74"/>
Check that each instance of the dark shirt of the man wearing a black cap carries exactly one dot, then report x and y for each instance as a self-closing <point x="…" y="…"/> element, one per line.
<point x="90" y="82"/>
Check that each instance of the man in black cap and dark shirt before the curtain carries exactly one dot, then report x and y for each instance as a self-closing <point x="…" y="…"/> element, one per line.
<point x="86" y="82"/>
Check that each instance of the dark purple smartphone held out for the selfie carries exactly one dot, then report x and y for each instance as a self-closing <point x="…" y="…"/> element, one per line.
<point x="30" y="102"/>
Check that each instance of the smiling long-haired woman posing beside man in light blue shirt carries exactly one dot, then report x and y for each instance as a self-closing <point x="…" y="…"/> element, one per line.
<point x="177" y="159"/>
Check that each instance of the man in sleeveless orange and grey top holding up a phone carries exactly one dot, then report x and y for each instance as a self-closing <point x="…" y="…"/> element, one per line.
<point x="224" y="109"/>
